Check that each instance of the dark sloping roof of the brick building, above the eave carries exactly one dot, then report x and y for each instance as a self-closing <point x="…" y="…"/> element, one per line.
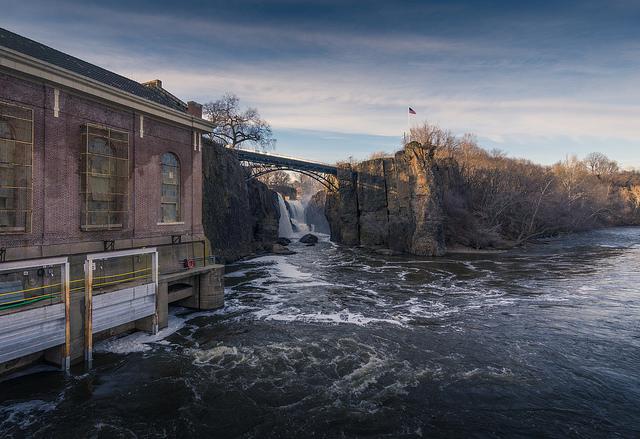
<point x="52" y="56"/>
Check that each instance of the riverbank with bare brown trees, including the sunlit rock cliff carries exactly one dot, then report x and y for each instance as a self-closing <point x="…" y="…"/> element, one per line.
<point x="441" y="191"/>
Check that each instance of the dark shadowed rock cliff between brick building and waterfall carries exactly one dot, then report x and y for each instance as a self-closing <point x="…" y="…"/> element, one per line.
<point x="240" y="218"/>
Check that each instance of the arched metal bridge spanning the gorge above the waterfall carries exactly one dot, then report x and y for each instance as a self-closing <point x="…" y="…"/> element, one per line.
<point x="259" y="163"/>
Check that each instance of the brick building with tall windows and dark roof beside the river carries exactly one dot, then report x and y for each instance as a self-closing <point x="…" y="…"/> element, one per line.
<point x="91" y="161"/>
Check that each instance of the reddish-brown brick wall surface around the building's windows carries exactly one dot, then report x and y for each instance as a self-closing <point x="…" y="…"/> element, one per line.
<point x="56" y="174"/>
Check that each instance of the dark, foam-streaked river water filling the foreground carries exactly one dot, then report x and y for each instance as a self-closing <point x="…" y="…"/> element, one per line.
<point x="339" y="342"/>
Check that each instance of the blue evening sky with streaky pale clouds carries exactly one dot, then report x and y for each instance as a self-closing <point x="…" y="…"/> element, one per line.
<point x="540" y="80"/>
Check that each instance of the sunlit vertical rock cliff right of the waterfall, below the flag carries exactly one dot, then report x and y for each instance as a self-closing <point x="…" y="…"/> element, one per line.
<point x="394" y="203"/>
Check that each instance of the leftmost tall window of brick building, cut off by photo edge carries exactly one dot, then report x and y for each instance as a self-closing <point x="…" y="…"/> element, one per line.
<point x="16" y="146"/>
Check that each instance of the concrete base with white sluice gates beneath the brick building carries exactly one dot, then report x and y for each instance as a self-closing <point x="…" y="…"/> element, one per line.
<point x="54" y="308"/>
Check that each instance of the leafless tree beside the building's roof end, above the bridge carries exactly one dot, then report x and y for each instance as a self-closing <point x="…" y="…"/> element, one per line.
<point x="234" y="127"/>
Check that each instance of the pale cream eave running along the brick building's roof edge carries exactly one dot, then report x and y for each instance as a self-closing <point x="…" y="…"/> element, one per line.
<point x="20" y="62"/>
